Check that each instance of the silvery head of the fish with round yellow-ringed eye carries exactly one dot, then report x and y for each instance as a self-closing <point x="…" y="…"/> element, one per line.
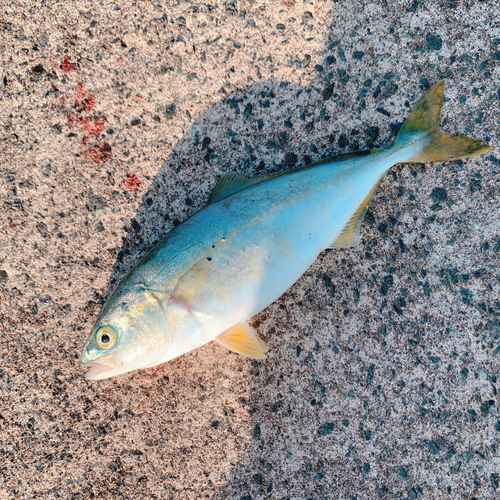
<point x="130" y="333"/>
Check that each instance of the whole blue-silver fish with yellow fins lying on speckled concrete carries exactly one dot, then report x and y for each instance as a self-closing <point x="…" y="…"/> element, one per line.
<point x="253" y="240"/>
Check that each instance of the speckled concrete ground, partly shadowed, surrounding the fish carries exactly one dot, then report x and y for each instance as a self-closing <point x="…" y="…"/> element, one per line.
<point x="116" y="120"/>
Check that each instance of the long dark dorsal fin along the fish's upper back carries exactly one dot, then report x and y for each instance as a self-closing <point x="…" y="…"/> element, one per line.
<point x="232" y="182"/>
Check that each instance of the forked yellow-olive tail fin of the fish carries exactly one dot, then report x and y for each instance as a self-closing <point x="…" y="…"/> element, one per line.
<point x="424" y="118"/>
